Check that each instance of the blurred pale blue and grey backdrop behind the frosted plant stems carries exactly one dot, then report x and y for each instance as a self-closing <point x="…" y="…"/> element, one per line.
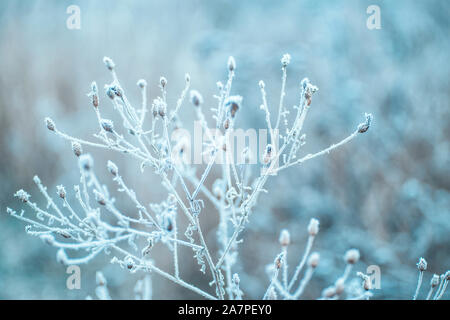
<point x="386" y="193"/>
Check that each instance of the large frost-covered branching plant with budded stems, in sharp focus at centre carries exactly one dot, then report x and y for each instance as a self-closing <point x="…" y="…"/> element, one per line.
<point x="97" y="225"/>
